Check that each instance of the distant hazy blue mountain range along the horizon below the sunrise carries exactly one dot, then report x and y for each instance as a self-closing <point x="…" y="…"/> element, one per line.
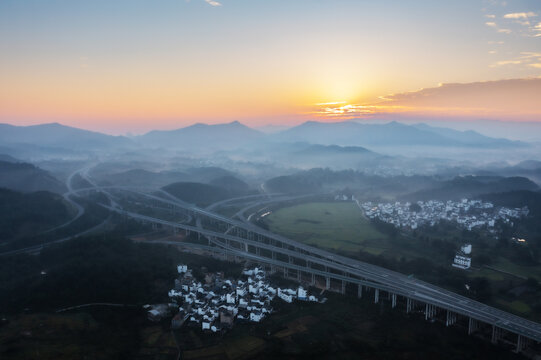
<point x="20" y="141"/>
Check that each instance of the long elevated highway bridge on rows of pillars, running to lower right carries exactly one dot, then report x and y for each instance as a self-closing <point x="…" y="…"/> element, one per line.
<point x="236" y="239"/>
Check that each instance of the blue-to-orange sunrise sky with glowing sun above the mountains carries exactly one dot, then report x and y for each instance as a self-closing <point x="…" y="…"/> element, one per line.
<point x="134" y="65"/>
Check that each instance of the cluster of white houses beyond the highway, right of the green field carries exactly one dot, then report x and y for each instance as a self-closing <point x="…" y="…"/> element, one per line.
<point x="468" y="213"/>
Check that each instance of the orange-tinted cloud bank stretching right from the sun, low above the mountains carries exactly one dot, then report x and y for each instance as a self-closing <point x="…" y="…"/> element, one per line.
<point x="504" y="99"/>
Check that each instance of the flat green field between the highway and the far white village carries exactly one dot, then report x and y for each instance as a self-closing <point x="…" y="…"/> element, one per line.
<point x="334" y="225"/>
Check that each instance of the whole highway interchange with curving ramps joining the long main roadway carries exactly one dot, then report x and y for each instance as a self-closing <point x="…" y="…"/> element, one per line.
<point x="329" y="265"/>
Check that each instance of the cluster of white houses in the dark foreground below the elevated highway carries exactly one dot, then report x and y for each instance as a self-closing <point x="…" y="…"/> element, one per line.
<point x="219" y="302"/>
